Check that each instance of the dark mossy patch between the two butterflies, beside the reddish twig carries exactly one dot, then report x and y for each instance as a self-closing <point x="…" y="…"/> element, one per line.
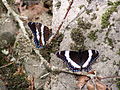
<point x="52" y="47"/>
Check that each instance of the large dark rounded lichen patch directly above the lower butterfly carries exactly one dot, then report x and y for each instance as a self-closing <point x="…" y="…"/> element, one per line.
<point x="78" y="38"/>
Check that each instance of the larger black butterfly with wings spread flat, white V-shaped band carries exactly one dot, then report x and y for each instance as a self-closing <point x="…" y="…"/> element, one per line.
<point x="78" y="61"/>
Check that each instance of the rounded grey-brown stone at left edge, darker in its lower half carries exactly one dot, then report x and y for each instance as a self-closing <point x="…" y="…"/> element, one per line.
<point x="7" y="32"/>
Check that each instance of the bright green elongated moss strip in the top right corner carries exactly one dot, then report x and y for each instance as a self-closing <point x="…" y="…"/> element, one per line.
<point x="105" y="17"/>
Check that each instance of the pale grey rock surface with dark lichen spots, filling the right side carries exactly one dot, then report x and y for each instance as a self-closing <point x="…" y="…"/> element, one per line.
<point x="108" y="62"/>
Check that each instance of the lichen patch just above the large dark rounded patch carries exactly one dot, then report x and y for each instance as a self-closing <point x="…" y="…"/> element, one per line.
<point x="84" y="25"/>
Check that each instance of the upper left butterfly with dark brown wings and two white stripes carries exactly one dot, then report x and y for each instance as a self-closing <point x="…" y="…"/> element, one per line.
<point x="41" y="33"/>
